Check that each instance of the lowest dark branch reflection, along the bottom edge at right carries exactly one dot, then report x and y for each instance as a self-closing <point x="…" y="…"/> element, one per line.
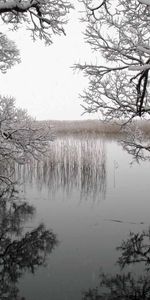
<point x="120" y="287"/>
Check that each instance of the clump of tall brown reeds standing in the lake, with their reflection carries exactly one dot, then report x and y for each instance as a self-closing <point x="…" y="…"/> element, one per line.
<point x="72" y="163"/>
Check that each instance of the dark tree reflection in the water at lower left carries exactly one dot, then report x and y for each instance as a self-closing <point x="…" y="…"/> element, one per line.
<point x="20" y="250"/>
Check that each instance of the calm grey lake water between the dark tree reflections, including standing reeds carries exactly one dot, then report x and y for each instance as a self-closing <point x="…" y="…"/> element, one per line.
<point x="91" y="196"/>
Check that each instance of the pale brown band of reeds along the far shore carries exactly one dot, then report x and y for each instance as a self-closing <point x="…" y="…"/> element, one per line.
<point x="92" y="126"/>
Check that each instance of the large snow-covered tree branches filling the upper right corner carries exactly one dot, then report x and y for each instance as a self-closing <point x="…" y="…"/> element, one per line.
<point x="119" y="32"/>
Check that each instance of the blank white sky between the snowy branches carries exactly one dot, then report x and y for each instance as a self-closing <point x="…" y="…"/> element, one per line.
<point x="44" y="83"/>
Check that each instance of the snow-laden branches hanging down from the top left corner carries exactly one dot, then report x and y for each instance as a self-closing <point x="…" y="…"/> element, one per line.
<point x="42" y="17"/>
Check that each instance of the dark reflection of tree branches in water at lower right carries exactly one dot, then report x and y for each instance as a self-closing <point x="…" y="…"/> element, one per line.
<point x="126" y="286"/>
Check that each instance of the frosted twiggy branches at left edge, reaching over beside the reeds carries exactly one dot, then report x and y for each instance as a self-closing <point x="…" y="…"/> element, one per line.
<point x="21" y="138"/>
